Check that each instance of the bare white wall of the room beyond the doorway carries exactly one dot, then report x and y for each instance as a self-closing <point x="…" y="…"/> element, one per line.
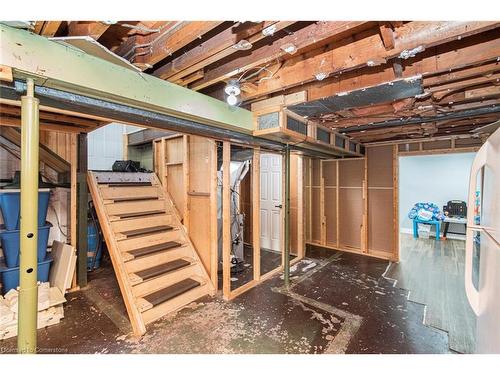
<point x="432" y="178"/>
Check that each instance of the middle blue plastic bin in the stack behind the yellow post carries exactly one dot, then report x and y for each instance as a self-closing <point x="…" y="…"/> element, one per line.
<point x="10" y="240"/>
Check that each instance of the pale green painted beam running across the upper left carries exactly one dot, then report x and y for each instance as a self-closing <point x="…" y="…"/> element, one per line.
<point x="67" y="68"/>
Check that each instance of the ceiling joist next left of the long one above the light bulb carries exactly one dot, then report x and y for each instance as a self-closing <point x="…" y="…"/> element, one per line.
<point x="316" y="34"/>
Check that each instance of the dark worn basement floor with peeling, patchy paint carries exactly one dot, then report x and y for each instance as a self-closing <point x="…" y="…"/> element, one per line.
<point x="337" y="303"/>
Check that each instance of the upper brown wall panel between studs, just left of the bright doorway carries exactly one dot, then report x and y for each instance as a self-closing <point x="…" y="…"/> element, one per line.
<point x="380" y="161"/>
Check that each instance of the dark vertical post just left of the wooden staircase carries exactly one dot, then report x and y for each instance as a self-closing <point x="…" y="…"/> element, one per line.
<point x="82" y="208"/>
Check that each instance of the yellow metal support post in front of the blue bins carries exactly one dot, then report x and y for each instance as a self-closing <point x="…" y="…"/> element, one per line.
<point x="28" y="292"/>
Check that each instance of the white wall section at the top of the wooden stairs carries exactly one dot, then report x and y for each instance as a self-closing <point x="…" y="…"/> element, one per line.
<point x="105" y="145"/>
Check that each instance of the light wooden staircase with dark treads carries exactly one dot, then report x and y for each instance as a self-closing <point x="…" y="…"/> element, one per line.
<point x="156" y="265"/>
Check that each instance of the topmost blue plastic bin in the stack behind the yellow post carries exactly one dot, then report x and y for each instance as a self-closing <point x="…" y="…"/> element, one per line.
<point x="10" y="203"/>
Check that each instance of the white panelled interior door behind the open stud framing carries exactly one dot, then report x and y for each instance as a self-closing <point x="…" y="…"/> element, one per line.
<point x="270" y="201"/>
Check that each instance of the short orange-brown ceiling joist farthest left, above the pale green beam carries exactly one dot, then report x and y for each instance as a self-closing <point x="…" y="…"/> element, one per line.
<point x="166" y="43"/>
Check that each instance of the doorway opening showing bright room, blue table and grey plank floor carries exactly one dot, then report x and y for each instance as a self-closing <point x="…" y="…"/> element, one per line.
<point x="433" y="191"/>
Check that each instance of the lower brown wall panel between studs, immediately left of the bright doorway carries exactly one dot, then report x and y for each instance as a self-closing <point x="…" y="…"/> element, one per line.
<point x="380" y="220"/>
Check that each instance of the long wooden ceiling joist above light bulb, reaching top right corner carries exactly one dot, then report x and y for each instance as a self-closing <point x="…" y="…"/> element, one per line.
<point x="410" y="40"/>
